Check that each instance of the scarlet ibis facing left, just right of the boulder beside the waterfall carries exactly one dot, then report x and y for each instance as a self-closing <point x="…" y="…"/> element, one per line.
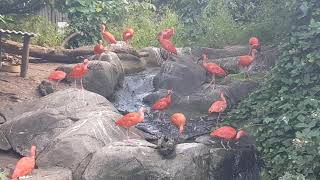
<point x="213" y="69"/>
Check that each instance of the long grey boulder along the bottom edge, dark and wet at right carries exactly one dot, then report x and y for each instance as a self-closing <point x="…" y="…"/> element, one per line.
<point x="140" y="160"/>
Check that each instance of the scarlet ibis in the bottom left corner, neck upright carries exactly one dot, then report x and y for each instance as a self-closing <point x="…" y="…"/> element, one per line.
<point x="25" y="165"/>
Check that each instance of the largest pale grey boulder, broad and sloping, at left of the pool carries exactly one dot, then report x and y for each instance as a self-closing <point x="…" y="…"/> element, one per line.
<point x="67" y="127"/>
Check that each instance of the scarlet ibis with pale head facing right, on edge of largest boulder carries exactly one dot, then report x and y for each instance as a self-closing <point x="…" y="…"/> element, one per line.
<point x="131" y="119"/>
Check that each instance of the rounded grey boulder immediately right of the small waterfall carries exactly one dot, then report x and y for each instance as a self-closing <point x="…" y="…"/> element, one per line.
<point x="183" y="75"/>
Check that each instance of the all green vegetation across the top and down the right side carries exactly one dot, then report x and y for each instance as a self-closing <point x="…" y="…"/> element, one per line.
<point x="284" y="114"/>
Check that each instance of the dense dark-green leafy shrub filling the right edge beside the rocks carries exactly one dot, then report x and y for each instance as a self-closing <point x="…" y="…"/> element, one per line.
<point x="287" y="106"/>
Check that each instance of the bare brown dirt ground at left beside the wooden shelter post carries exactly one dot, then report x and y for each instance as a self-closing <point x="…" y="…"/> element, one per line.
<point x="14" y="89"/>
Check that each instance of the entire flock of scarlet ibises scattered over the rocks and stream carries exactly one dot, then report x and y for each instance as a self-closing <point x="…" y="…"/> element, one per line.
<point x="26" y="164"/>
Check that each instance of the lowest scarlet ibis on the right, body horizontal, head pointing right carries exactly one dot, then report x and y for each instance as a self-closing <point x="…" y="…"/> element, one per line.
<point x="228" y="133"/>
